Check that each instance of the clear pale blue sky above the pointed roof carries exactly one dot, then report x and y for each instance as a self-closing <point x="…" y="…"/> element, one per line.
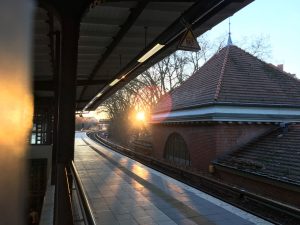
<point x="278" y="20"/>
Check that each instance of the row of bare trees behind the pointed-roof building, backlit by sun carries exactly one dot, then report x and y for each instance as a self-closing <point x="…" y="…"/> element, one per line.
<point x="145" y="91"/>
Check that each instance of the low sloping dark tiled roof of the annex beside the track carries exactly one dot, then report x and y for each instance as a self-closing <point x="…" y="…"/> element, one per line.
<point x="276" y="155"/>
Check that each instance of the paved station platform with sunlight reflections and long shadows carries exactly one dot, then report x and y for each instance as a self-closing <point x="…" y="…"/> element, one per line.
<point x="122" y="191"/>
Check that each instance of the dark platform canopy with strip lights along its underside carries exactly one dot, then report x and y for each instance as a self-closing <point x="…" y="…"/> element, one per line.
<point x="113" y="38"/>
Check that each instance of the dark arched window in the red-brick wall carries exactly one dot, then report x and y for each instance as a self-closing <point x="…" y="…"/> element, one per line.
<point x="176" y="150"/>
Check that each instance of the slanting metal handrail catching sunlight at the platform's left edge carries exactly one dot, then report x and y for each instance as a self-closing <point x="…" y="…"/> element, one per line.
<point x="86" y="206"/>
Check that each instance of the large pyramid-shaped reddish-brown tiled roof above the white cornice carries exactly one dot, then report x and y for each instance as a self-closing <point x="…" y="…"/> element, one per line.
<point x="234" y="76"/>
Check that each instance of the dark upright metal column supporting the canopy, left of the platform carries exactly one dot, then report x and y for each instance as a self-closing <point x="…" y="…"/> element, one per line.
<point x="66" y="116"/>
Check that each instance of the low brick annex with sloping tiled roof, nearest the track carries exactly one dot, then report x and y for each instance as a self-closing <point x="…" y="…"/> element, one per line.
<point x="269" y="165"/>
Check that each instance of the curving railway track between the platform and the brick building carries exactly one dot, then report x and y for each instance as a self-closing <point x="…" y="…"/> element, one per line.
<point x="268" y="209"/>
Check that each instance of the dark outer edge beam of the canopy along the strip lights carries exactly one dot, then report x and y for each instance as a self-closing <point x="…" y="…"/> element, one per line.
<point x="195" y="16"/>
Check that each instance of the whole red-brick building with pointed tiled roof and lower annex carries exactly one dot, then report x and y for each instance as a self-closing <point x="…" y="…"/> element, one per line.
<point x="233" y="100"/>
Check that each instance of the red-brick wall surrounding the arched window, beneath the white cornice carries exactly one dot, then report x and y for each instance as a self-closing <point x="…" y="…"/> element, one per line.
<point x="206" y="141"/>
